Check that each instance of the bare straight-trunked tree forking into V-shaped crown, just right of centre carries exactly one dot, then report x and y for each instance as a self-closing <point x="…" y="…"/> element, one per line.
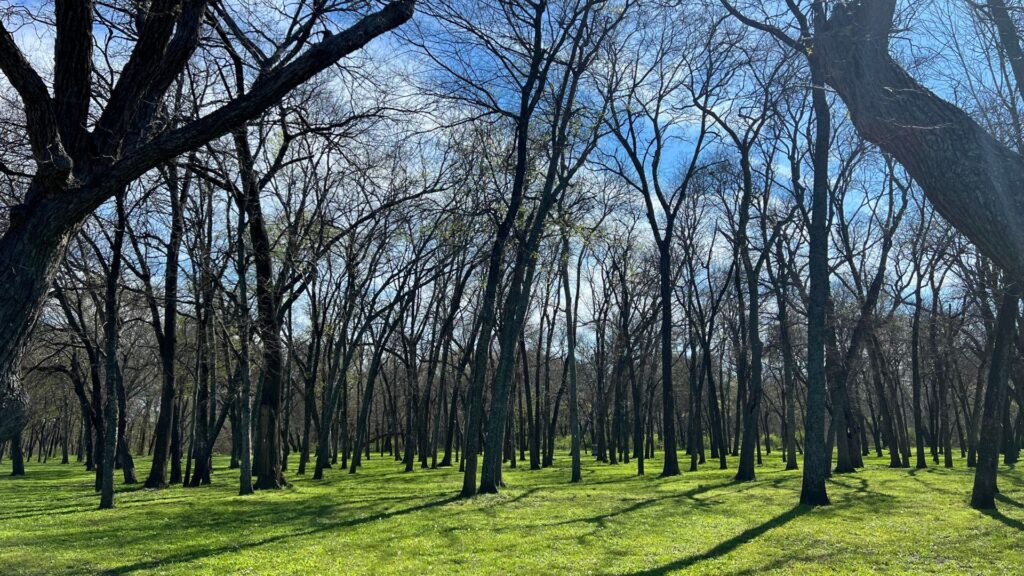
<point x="646" y="104"/>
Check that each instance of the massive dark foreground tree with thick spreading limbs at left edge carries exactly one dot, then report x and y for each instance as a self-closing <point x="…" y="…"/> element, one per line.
<point x="77" y="170"/>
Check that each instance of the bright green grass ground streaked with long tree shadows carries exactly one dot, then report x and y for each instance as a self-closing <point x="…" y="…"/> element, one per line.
<point x="383" y="521"/>
